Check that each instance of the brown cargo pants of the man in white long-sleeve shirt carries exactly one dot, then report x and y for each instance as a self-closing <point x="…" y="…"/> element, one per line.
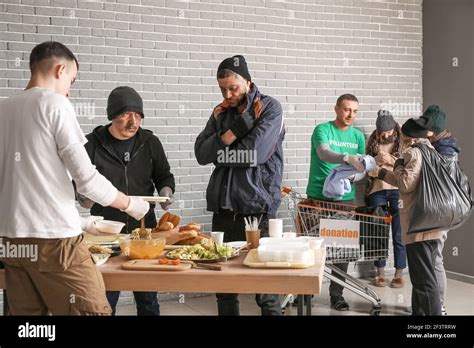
<point x="61" y="280"/>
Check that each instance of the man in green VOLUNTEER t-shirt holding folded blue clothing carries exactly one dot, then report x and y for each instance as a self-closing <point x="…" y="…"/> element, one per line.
<point x="334" y="143"/>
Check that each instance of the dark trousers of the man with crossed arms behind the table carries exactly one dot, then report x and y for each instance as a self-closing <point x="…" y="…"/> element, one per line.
<point x="233" y="227"/>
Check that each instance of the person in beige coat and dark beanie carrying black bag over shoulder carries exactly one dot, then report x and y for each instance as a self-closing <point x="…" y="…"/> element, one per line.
<point x="421" y="247"/>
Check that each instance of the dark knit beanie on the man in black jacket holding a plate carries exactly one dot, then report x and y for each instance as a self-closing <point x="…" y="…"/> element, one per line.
<point x="123" y="99"/>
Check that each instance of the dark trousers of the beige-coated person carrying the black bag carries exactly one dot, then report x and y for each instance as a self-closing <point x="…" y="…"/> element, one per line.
<point x="425" y="297"/>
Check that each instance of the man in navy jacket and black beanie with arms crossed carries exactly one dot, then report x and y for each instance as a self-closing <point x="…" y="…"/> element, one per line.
<point x="243" y="139"/>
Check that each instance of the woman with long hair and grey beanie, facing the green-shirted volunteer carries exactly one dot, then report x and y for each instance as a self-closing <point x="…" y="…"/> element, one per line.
<point x="384" y="146"/>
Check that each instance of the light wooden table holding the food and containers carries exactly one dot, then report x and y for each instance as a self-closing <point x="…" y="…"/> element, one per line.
<point x="234" y="278"/>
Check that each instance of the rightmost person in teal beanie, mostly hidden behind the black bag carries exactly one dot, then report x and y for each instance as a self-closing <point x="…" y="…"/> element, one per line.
<point x="443" y="141"/>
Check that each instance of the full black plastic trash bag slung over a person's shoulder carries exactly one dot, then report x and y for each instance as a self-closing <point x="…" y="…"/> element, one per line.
<point x="443" y="199"/>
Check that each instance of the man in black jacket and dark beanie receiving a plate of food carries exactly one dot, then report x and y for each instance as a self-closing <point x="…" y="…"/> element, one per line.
<point x="133" y="159"/>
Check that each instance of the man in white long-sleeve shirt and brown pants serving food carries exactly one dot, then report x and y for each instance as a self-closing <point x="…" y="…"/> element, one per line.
<point x="41" y="151"/>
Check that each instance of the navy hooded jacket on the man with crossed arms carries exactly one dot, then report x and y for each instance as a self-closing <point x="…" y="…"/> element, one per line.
<point x="254" y="188"/>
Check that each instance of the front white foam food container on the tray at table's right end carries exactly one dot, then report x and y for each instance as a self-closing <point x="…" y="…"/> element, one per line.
<point x="284" y="252"/>
